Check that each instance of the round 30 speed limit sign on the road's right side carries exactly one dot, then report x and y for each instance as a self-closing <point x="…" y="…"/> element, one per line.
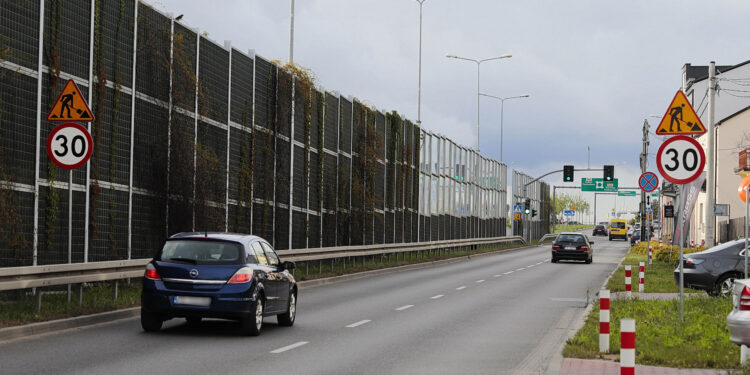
<point x="680" y="159"/>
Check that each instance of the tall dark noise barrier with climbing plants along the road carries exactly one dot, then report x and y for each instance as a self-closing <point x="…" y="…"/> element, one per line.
<point x="193" y="135"/>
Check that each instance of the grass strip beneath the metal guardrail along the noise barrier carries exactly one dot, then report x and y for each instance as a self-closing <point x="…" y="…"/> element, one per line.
<point x="17" y="307"/>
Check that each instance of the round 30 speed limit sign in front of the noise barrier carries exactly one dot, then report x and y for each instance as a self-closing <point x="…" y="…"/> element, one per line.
<point x="69" y="145"/>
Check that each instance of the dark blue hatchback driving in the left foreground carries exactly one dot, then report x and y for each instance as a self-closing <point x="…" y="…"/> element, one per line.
<point x="218" y="275"/>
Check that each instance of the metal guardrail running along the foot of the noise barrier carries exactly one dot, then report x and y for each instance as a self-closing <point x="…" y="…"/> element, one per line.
<point x="13" y="278"/>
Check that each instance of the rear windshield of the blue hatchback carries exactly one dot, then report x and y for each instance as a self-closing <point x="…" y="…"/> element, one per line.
<point x="201" y="252"/>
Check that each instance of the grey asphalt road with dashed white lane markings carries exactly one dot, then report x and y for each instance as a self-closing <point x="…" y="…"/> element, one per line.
<point x="497" y="314"/>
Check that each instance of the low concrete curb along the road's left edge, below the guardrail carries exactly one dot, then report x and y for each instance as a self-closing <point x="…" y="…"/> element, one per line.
<point x="11" y="333"/>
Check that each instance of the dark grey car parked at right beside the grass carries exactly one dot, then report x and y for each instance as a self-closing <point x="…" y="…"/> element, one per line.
<point x="714" y="269"/>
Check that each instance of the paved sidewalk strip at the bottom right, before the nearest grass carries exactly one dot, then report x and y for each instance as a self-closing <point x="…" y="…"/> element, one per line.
<point x="575" y="366"/>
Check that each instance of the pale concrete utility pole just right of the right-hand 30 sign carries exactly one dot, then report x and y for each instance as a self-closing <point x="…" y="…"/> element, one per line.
<point x="710" y="184"/>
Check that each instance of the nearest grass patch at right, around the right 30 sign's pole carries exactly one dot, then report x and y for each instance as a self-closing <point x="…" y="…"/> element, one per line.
<point x="701" y="341"/>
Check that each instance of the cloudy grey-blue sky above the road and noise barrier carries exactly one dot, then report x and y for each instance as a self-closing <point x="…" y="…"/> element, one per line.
<point x="594" y="69"/>
